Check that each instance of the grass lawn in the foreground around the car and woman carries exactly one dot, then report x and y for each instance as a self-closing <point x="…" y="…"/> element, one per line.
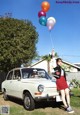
<point x="46" y="109"/>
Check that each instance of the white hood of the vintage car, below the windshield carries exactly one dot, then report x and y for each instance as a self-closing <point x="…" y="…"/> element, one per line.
<point x="42" y="81"/>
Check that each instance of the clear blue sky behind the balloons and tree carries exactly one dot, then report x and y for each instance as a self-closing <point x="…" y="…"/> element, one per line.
<point x="64" y="38"/>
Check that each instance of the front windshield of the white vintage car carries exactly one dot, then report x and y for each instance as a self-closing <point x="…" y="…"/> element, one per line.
<point x="34" y="73"/>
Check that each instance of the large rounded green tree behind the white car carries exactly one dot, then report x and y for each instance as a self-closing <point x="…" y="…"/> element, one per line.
<point x="18" y="40"/>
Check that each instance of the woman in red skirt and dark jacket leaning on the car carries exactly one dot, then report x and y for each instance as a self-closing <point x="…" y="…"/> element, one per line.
<point x="62" y="85"/>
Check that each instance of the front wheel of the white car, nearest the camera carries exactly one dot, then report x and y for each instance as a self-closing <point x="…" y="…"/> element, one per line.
<point x="29" y="103"/>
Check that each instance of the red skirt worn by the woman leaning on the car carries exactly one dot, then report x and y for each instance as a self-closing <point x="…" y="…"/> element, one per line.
<point x="61" y="83"/>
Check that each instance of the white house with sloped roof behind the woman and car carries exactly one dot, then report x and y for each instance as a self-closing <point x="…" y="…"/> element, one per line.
<point x="49" y="65"/>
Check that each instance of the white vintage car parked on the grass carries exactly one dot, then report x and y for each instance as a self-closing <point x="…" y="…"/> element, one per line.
<point x="30" y="85"/>
